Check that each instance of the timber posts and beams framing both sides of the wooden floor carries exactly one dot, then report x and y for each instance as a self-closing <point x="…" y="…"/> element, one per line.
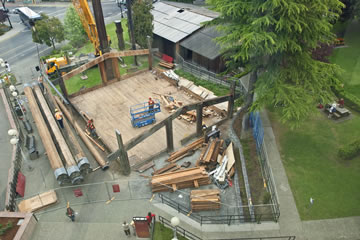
<point x="121" y="154"/>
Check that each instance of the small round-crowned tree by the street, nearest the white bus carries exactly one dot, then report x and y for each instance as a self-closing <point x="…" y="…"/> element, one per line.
<point x="48" y="30"/>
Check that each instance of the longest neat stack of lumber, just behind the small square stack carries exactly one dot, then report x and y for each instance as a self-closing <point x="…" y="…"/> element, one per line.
<point x="192" y="177"/>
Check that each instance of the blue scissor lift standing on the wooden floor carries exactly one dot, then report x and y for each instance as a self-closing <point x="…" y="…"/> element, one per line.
<point x="142" y="114"/>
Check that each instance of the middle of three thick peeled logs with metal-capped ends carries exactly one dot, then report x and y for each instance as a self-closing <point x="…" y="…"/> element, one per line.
<point x="71" y="166"/>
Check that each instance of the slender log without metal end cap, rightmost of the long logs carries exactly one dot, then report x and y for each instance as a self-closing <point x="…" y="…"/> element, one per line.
<point x="99" y="159"/>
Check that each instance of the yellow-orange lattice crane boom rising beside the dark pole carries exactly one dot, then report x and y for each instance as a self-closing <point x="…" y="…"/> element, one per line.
<point x="87" y="20"/>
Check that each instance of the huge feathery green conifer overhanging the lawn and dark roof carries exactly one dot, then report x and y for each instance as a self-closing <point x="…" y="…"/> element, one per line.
<point x="275" y="39"/>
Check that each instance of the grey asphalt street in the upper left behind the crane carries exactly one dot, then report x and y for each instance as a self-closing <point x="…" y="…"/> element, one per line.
<point x="21" y="52"/>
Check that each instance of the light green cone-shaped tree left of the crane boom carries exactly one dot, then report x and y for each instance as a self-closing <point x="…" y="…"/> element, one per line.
<point x="74" y="30"/>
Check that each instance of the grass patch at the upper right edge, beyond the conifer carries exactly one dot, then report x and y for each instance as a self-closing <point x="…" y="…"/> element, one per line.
<point x="348" y="58"/>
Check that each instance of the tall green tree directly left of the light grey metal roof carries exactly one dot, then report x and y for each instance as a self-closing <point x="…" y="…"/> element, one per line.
<point x="143" y="21"/>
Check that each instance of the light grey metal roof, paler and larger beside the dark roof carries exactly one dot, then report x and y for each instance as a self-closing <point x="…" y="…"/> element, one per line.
<point x="174" y="23"/>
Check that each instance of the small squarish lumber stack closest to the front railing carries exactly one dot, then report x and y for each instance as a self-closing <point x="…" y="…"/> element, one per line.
<point x="202" y="200"/>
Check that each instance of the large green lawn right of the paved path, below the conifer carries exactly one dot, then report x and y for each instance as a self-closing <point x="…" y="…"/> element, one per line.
<point x="309" y="155"/>
